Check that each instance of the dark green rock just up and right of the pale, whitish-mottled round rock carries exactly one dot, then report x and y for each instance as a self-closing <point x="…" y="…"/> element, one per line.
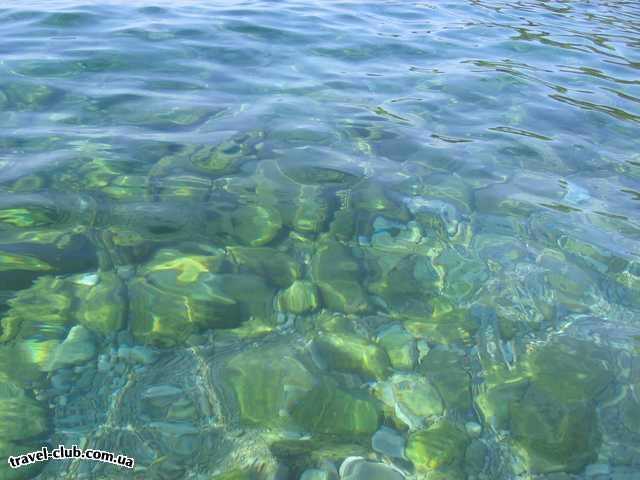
<point x="445" y="370"/>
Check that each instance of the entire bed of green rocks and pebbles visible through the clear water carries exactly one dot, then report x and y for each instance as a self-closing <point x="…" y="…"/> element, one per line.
<point x="260" y="318"/>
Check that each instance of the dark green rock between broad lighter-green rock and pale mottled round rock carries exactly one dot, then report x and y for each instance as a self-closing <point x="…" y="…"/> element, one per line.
<point x="328" y="409"/>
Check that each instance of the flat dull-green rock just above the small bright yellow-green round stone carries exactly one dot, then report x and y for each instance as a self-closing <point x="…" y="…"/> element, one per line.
<point x="278" y="267"/>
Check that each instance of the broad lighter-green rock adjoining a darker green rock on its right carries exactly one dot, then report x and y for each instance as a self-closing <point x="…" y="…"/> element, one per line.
<point x="265" y="383"/>
